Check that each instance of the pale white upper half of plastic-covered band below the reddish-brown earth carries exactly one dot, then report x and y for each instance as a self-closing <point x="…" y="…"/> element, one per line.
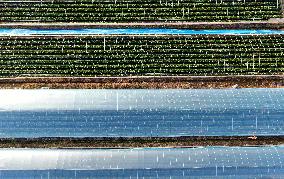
<point x="142" y="99"/>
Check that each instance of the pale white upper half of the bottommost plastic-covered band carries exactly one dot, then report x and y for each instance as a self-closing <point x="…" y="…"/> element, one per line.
<point x="153" y="158"/>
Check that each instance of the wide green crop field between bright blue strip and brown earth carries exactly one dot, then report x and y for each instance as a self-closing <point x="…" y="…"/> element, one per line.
<point x="124" y="55"/>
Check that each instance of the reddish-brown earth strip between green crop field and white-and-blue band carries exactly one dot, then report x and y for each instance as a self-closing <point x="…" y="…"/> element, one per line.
<point x="161" y="82"/>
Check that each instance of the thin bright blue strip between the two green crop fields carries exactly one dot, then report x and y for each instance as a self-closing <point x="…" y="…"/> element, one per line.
<point x="145" y="31"/>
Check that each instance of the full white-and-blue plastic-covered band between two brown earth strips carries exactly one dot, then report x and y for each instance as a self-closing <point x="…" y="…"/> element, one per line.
<point x="141" y="113"/>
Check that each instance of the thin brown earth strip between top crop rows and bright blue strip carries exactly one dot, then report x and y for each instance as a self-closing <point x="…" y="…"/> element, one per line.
<point x="274" y="23"/>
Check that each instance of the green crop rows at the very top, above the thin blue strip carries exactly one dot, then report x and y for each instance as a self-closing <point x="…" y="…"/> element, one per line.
<point x="138" y="10"/>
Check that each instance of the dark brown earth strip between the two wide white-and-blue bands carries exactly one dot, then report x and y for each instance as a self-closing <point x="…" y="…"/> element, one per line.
<point x="121" y="142"/>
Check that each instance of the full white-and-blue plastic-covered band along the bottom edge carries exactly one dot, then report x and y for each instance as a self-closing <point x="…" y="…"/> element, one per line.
<point x="208" y="162"/>
